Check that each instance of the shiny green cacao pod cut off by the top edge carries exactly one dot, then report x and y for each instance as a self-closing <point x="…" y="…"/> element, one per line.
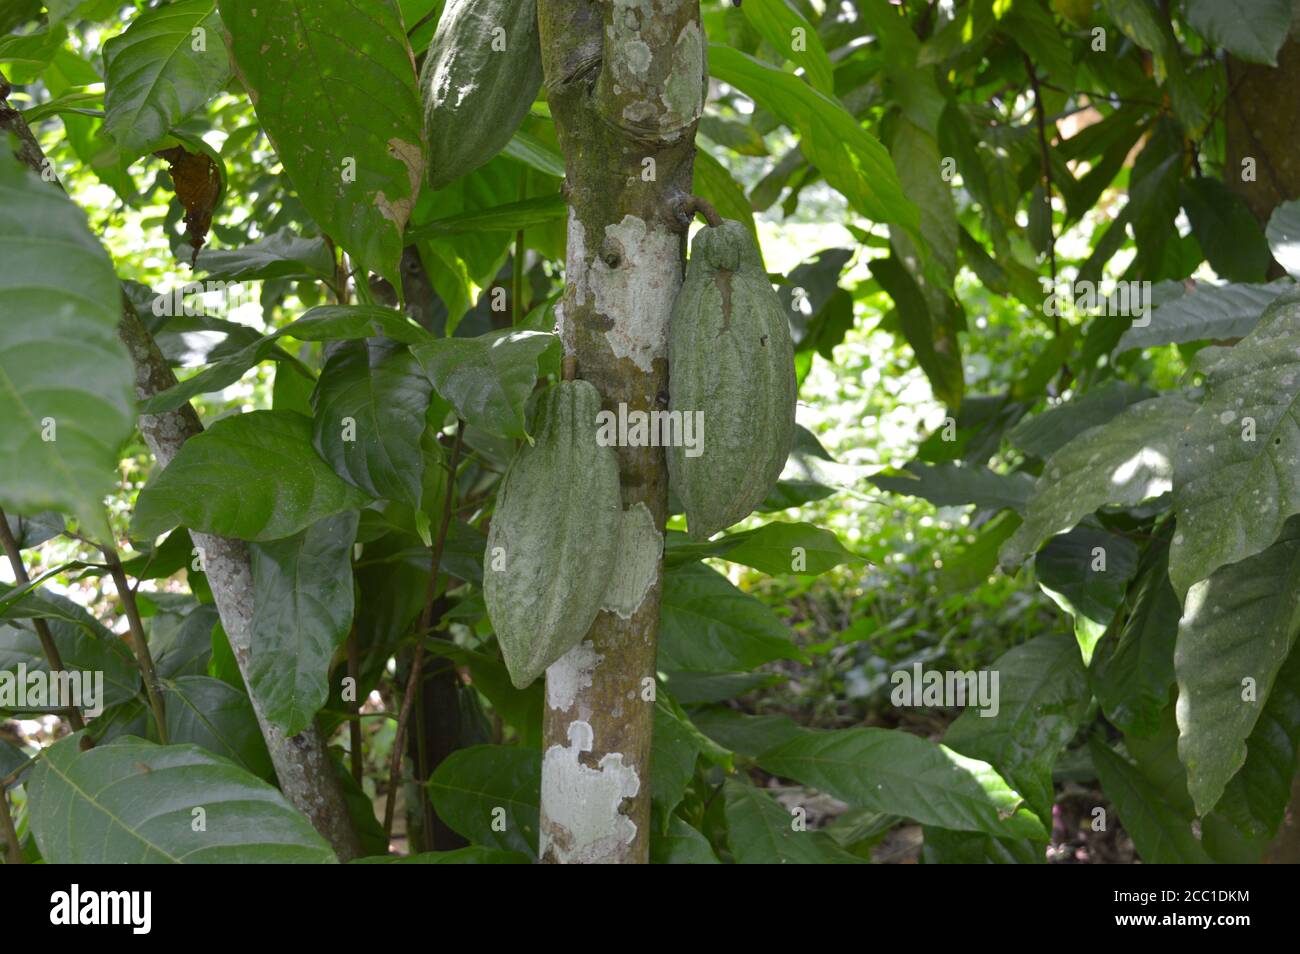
<point x="482" y="75"/>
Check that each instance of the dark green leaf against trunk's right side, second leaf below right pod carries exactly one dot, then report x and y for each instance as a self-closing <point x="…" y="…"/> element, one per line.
<point x="705" y="623"/>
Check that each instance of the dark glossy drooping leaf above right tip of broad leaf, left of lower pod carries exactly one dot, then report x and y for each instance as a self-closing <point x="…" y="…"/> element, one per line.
<point x="371" y="402"/>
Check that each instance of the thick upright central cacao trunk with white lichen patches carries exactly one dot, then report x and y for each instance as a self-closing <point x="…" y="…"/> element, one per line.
<point x="626" y="85"/>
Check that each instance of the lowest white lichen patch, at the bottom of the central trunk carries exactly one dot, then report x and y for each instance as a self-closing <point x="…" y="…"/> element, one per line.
<point x="582" y="823"/>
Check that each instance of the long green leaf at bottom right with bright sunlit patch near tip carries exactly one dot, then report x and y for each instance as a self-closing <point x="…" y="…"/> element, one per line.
<point x="902" y="774"/>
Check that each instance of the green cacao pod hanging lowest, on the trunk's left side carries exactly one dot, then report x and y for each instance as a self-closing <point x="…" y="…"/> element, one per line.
<point x="556" y="535"/>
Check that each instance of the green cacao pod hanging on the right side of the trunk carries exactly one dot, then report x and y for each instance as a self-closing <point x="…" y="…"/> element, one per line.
<point x="731" y="358"/>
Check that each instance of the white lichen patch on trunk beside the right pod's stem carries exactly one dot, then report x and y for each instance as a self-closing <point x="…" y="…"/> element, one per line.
<point x="636" y="292"/>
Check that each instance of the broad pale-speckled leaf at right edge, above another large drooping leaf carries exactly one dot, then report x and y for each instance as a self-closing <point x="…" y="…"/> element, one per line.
<point x="1236" y="475"/>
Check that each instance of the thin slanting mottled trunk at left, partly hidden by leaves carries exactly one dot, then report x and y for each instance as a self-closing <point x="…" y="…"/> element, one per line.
<point x="304" y="766"/>
